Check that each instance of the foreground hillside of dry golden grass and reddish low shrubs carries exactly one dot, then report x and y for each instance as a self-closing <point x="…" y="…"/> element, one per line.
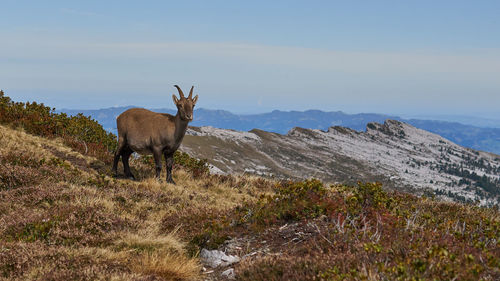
<point x="62" y="217"/>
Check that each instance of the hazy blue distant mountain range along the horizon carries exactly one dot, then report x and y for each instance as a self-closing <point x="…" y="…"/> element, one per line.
<point x="479" y="138"/>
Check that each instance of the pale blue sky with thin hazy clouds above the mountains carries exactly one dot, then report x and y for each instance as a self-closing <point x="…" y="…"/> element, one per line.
<point x="398" y="57"/>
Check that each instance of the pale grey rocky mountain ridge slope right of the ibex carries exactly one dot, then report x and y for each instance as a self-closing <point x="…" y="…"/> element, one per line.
<point x="394" y="153"/>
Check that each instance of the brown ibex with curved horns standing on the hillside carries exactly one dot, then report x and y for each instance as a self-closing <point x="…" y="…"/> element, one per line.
<point x="147" y="132"/>
